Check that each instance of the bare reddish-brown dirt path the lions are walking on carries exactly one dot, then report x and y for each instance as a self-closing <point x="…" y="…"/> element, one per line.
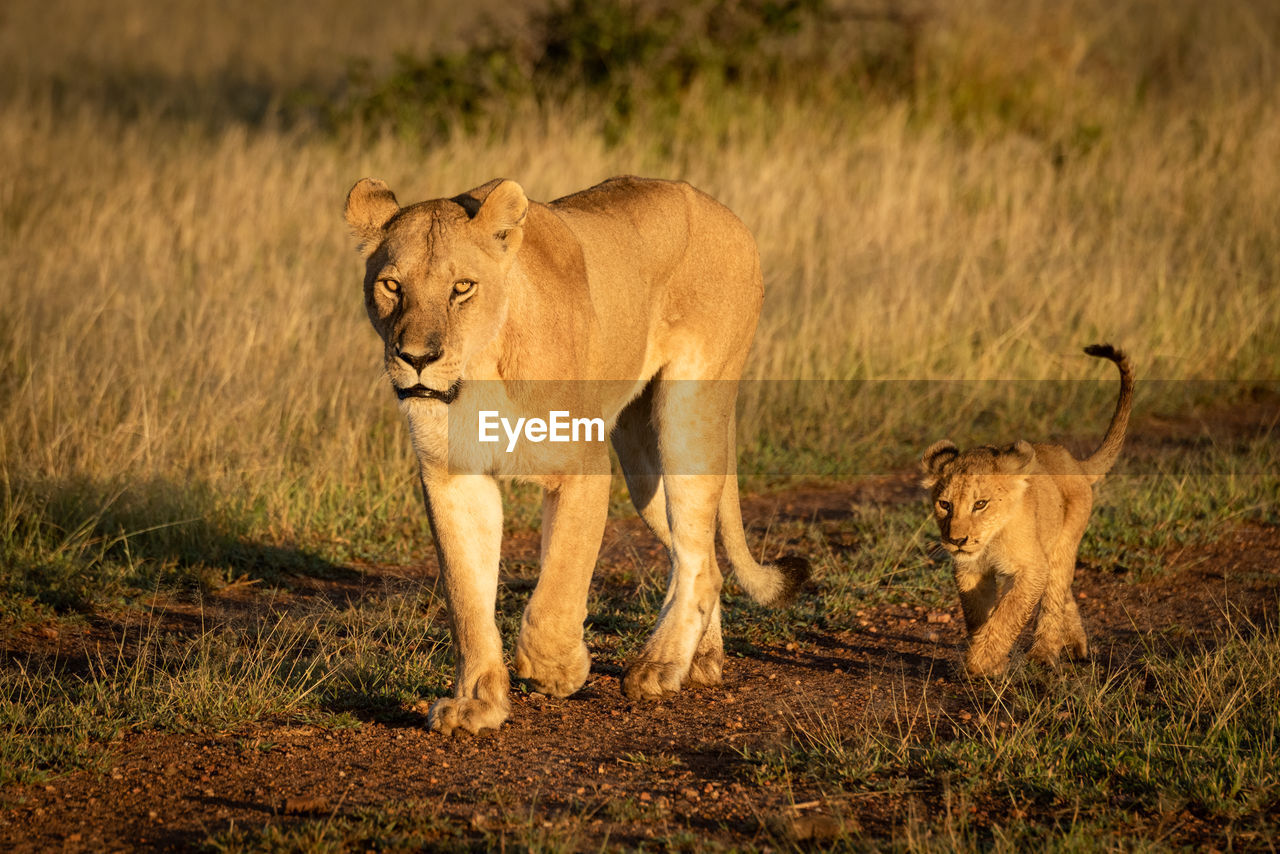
<point x="597" y="769"/>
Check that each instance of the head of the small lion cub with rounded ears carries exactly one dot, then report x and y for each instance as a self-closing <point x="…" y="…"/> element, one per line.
<point x="975" y="494"/>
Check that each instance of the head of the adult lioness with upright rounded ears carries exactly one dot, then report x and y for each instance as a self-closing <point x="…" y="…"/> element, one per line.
<point x="436" y="278"/>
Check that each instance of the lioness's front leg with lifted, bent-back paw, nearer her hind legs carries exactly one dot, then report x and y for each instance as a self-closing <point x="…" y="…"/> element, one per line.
<point x="551" y="652"/>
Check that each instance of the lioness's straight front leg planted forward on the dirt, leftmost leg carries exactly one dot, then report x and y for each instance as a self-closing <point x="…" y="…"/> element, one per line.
<point x="467" y="519"/>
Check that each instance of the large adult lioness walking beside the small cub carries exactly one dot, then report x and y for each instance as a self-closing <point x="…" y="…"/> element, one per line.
<point x="633" y="303"/>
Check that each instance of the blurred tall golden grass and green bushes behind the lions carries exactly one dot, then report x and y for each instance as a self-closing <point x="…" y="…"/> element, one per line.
<point x="941" y="191"/>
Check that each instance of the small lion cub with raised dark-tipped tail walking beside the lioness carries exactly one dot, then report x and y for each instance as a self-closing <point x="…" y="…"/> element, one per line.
<point x="1013" y="518"/>
